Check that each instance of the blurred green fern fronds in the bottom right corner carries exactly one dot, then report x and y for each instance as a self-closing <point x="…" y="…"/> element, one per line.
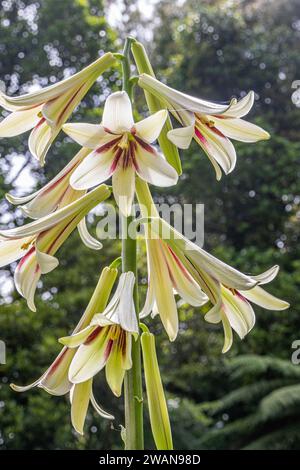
<point x="261" y="412"/>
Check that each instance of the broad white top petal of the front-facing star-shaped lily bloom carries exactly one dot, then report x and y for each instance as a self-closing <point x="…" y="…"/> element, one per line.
<point x="117" y="114"/>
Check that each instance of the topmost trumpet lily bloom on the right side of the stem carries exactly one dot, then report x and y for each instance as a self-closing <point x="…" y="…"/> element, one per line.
<point x="210" y="124"/>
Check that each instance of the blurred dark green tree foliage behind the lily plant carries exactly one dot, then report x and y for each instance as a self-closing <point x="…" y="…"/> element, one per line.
<point x="250" y="398"/>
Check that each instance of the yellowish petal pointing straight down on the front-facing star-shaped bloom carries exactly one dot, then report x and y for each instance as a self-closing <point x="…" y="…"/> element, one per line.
<point x="123" y="182"/>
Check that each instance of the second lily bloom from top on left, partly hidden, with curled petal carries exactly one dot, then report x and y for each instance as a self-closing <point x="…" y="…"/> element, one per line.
<point x="56" y="194"/>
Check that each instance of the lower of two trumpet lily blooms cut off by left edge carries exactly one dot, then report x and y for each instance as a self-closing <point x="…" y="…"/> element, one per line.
<point x="37" y="242"/>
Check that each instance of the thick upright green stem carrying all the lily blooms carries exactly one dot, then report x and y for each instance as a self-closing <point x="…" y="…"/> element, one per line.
<point x="133" y="391"/>
